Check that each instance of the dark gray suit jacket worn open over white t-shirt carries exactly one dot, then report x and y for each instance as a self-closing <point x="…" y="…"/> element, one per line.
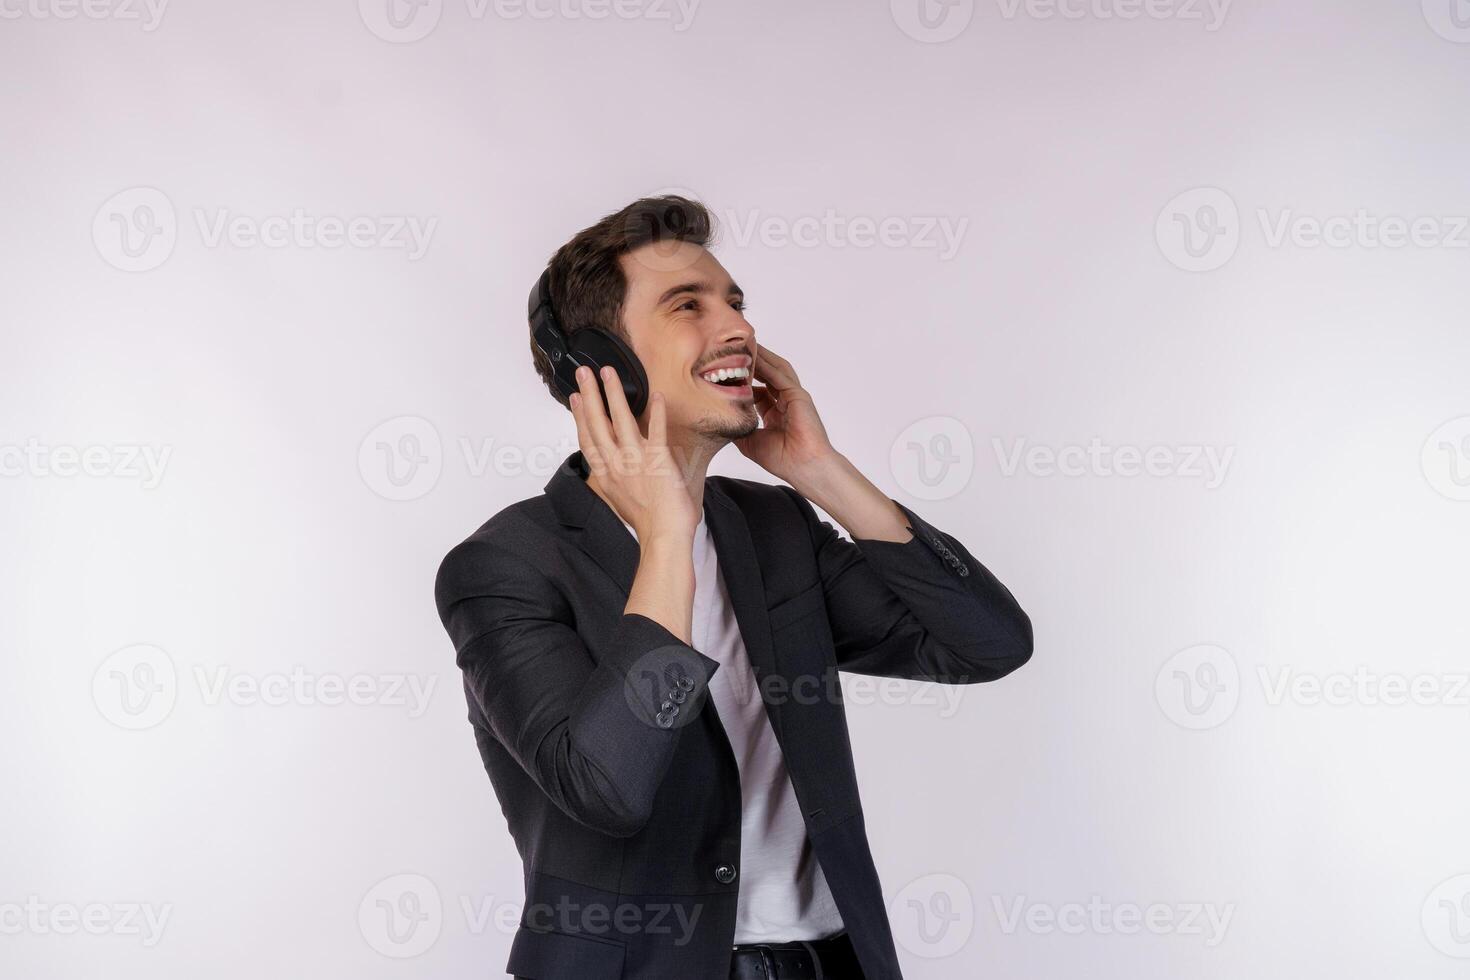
<point x="611" y="766"/>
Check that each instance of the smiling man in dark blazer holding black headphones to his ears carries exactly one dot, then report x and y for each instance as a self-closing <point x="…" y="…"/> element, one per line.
<point x="650" y="655"/>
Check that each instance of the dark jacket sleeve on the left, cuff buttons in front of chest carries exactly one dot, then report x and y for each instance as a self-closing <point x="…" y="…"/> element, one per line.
<point x="596" y="737"/>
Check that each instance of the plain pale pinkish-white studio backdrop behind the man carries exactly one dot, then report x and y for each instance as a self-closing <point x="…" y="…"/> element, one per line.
<point x="1069" y="146"/>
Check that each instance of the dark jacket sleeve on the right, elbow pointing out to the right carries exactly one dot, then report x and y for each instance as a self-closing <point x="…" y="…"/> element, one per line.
<point x="924" y="609"/>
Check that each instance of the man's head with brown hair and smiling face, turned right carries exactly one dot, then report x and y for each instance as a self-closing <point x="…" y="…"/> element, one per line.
<point x="646" y="275"/>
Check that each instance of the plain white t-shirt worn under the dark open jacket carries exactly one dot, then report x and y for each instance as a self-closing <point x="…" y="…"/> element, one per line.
<point x="783" y="893"/>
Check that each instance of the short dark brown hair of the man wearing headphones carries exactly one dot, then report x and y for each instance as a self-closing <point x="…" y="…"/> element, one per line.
<point x="587" y="280"/>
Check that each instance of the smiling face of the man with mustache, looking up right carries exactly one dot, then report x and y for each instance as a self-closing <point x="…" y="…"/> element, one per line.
<point x="686" y="320"/>
